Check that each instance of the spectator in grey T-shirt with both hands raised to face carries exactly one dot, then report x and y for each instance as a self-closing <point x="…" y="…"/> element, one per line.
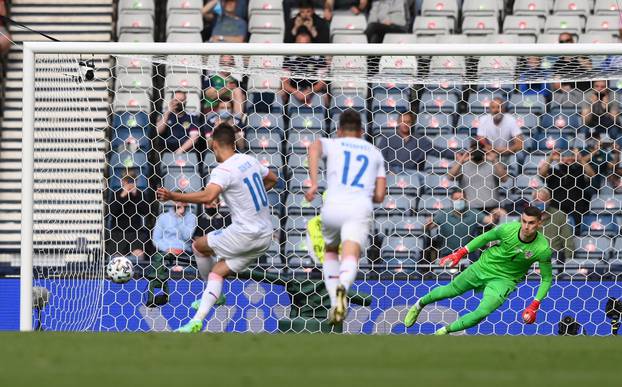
<point x="479" y="172"/>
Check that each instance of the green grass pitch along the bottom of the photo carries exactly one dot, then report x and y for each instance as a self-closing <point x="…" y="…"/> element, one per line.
<point x="215" y="360"/>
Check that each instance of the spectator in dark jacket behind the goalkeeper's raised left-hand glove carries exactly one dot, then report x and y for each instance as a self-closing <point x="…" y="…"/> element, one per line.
<point x="458" y="225"/>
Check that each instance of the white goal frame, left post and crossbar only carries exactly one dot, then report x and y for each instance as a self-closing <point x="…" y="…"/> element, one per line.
<point x="33" y="48"/>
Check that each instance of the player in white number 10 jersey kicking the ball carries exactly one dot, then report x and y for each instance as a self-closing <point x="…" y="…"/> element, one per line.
<point x="242" y="181"/>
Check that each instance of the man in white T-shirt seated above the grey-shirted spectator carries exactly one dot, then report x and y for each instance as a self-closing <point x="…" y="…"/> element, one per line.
<point x="500" y="130"/>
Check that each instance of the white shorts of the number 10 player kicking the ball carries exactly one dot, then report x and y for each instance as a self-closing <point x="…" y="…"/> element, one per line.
<point x="237" y="248"/>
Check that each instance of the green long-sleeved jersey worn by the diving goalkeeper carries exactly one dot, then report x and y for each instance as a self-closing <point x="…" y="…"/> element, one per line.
<point x="512" y="258"/>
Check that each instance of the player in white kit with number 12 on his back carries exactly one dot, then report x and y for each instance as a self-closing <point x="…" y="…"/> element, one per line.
<point x="356" y="177"/>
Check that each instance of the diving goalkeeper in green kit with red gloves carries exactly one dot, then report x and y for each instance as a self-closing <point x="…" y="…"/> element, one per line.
<point x="497" y="272"/>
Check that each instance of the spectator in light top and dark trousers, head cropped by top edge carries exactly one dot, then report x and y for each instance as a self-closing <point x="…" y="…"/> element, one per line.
<point x="386" y="16"/>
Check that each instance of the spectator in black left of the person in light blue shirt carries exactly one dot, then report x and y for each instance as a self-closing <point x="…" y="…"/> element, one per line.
<point x="129" y="210"/>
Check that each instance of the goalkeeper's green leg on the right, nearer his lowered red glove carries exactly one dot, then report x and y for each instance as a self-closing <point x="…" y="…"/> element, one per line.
<point x="495" y="295"/>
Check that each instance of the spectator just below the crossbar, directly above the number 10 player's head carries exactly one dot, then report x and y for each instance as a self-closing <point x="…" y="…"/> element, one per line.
<point x="222" y="86"/>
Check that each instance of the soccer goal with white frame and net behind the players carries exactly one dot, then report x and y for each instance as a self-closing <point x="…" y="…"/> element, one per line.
<point x="105" y="124"/>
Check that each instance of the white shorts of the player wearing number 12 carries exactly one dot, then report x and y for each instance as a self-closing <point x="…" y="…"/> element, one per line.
<point x="339" y="225"/>
